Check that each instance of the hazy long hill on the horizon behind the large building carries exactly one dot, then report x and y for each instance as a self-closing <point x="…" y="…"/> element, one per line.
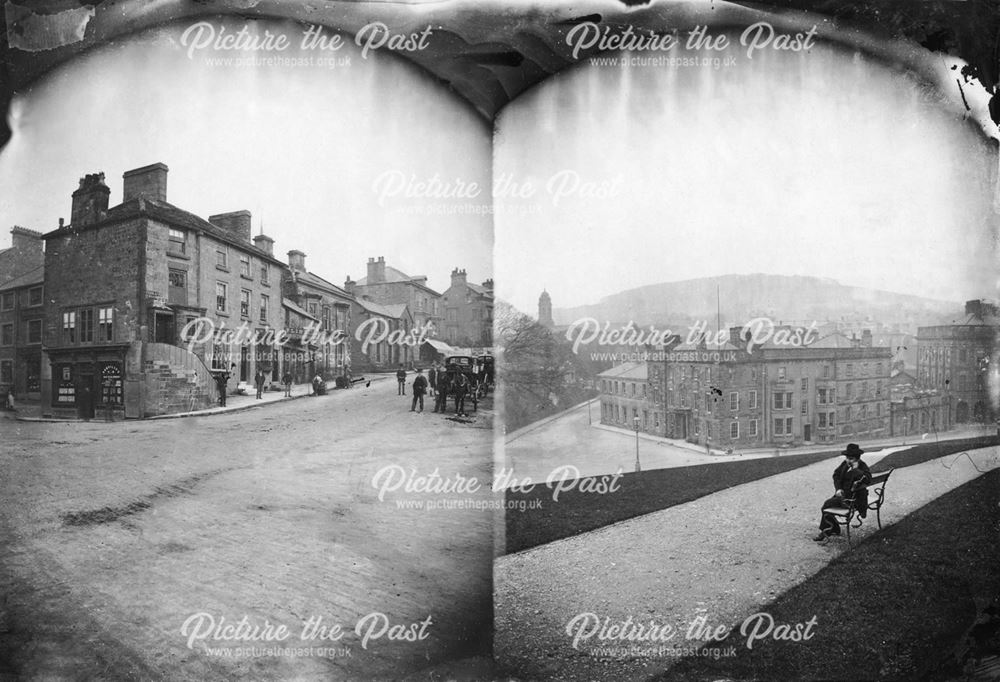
<point x="783" y="298"/>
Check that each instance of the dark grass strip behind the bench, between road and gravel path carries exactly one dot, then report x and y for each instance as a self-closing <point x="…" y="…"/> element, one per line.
<point x="649" y="491"/>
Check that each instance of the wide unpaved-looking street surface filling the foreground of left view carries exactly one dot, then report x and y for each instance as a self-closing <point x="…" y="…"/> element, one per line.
<point x="115" y="534"/>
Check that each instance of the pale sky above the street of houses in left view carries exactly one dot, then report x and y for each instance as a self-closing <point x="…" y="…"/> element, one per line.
<point x="322" y="156"/>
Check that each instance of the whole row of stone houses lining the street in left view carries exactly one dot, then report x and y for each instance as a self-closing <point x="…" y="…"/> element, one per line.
<point x="93" y="314"/>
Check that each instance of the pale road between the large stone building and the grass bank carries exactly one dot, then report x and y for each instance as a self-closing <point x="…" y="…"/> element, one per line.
<point x="577" y="438"/>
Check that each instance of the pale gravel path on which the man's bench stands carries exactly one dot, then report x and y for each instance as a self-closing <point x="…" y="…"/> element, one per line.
<point x="720" y="557"/>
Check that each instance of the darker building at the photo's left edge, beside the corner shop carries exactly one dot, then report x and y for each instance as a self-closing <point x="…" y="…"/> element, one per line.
<point x="22" y="314"/>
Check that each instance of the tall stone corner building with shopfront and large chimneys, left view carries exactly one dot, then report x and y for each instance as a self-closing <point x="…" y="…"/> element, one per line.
<point x="121" y="283"/>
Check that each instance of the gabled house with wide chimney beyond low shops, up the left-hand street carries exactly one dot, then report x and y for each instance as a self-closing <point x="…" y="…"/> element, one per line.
<point x="386" y="285"/>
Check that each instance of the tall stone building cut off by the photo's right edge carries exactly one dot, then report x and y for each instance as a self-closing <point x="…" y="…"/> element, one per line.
<point x="956" y="359"/>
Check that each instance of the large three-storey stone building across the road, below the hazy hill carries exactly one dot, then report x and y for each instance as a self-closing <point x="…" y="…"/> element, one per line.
<point x="724" y="397"/>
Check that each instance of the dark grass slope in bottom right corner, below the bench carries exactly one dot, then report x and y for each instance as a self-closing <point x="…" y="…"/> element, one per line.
<point x="900" y="606"/>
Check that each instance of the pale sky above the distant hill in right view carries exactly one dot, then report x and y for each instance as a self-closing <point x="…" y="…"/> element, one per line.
<point x="822" y="163"/>
